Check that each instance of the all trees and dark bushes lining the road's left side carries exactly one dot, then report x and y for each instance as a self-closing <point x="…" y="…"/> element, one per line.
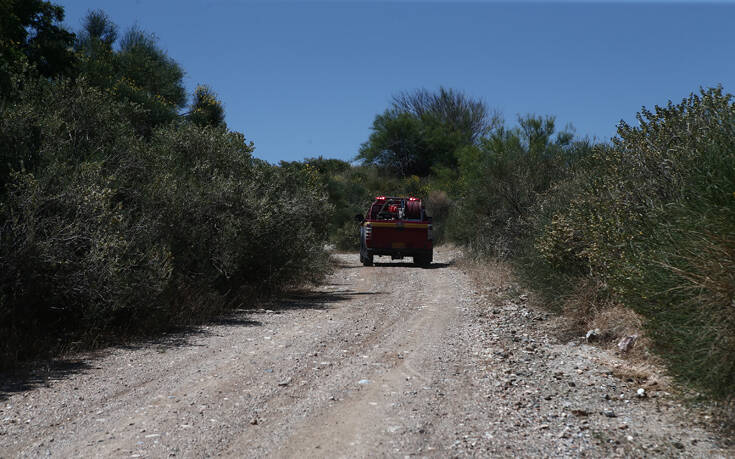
<point x="123" y="210"/>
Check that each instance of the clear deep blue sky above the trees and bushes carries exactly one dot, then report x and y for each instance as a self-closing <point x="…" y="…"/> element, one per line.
<point x="304" y="79"/>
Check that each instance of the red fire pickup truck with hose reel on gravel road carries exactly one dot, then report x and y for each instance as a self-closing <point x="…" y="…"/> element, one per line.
<point x="396" y="227"/>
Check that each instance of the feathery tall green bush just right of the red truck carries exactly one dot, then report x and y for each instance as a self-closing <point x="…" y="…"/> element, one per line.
<point x="502" y="180"/>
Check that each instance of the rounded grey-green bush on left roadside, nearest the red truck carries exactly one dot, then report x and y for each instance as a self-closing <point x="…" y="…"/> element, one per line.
<point x="234" y="221"/>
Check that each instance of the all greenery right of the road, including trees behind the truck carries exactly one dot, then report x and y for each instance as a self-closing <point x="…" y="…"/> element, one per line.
<point x="630" y="236"/>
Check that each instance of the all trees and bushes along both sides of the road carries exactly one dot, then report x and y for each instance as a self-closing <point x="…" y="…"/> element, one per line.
<point x="127" y="205"/>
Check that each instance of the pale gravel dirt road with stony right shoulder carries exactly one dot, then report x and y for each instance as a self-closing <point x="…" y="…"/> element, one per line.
<point x="384" y="361"/>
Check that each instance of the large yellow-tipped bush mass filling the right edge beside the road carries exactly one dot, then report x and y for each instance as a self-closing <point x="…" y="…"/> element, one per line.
<point x="652" y="219"/>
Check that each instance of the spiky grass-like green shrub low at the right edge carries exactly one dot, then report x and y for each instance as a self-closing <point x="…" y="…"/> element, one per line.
<point x="692" y="316"/>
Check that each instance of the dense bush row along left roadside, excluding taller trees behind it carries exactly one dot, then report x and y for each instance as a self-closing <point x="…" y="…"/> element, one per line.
<point x="101" y="230"/>
